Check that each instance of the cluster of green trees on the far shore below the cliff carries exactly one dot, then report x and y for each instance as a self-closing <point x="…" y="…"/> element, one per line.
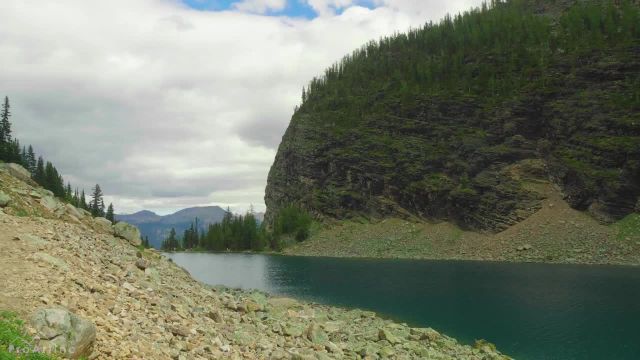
<point x="242" y="232"/>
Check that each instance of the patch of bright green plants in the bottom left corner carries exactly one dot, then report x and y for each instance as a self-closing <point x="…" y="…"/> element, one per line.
<point x="15" y="344"/>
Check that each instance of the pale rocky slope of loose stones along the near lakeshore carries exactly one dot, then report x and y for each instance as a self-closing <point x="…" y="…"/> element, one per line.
<point x="143" y="306"/>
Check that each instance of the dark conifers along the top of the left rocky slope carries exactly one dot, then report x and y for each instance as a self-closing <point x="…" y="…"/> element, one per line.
<point x="44" y="173"/>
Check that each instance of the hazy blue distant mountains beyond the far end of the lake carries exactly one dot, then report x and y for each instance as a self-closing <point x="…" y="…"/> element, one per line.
<point x="157" y="227"/>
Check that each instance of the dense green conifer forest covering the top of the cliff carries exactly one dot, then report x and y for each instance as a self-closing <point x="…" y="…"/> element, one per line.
<point x="488" y="51"/>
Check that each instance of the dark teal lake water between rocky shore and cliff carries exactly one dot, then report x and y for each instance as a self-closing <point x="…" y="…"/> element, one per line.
<point x="530" y="311"/>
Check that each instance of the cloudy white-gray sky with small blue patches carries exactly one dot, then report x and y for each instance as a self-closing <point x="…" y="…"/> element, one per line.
<point x="175" y="103"/>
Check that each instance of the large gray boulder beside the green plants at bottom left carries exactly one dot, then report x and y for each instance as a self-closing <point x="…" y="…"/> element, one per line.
<point x="63" y="331"/>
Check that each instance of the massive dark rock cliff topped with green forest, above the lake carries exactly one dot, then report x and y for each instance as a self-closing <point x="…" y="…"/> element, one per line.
<point x="447" y="121"/>
